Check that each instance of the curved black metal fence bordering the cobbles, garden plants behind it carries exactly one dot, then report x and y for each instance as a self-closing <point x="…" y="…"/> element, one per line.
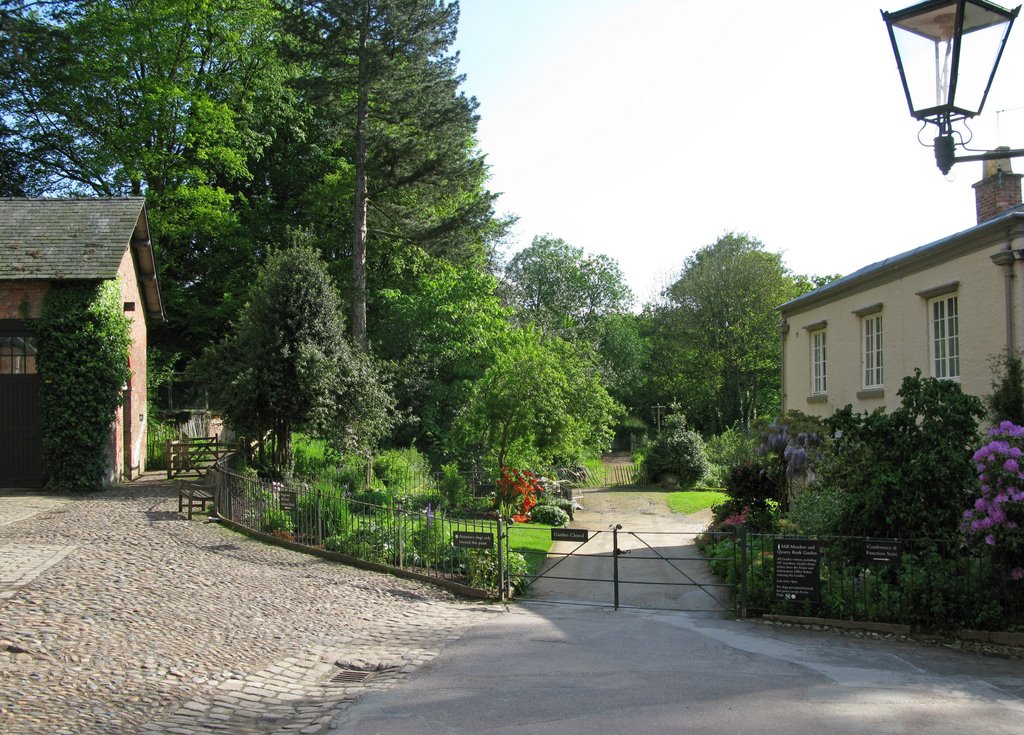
<point x="418" y="542"/>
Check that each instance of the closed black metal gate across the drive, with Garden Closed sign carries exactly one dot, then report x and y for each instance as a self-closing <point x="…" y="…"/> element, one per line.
<point x="623" y="569"/>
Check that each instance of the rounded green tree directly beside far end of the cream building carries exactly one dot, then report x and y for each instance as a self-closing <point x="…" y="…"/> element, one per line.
<point x="717" y="334"/>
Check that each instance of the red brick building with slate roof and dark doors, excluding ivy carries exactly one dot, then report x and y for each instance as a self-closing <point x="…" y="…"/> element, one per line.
<point x="47" y="241"/>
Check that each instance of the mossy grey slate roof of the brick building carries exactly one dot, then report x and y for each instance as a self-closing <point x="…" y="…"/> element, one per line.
<point x="77" y="240"/>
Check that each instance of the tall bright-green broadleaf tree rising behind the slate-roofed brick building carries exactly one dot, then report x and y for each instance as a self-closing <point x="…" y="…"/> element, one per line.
<point x="166" y="99"/>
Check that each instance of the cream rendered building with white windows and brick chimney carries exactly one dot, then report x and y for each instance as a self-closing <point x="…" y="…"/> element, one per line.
<point x="948" y="309"/>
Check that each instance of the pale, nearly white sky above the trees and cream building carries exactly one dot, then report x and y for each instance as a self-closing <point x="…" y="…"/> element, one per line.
<point x="647" y="129"/>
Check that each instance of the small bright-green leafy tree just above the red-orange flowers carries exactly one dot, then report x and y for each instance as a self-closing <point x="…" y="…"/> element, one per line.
<point x="538" y="406"/>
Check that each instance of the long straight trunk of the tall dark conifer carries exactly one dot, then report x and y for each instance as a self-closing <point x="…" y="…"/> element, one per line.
<point x="360" y="218"/>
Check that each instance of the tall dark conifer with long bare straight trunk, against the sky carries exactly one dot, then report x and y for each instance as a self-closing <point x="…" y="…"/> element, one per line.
<point x="386" y="81"/>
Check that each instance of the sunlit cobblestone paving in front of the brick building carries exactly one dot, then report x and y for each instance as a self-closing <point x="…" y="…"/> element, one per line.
<point x="138" y="622"/>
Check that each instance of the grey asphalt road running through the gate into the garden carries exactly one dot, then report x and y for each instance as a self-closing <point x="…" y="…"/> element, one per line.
<point x="580" y="668"/>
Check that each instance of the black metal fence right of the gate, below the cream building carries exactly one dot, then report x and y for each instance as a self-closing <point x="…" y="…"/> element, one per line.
<point x="926" y="584"/>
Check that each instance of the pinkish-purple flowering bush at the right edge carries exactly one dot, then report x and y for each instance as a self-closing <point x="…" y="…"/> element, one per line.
<point x="999" y="510"/>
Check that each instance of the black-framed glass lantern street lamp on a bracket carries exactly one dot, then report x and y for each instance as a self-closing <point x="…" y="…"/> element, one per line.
<point x="948" y="53"/>
